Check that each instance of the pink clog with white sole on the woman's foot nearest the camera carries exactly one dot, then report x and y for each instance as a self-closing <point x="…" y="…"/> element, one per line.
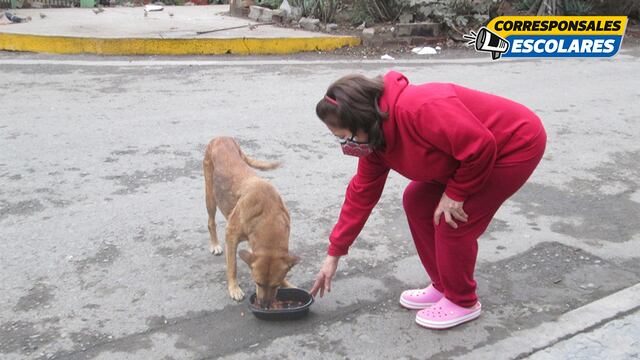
<point x="445" y="314"/>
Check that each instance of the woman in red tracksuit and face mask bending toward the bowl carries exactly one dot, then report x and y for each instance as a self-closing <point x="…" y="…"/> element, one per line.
<point x="465" y="151"/>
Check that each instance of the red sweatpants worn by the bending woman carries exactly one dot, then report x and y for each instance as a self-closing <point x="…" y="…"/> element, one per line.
<point x="448" y="254"/>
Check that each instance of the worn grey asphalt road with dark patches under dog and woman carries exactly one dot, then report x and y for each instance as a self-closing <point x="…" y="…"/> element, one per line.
<point x="103" y="223"/>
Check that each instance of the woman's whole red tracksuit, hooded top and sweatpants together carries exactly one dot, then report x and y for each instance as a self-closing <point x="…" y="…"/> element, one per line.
<point x="475" y="147"/>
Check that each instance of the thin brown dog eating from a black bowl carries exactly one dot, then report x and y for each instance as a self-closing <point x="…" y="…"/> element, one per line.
<point x="254" y="212"/>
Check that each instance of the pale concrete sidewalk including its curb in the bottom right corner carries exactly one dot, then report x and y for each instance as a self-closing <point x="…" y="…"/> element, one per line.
<point x="606" y="328"/>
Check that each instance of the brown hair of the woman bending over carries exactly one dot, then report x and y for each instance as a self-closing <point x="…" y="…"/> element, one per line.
<point x="353" y="100"/>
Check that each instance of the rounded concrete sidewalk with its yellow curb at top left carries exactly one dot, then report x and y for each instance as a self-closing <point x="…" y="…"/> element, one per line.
<point x="173" y="31"/>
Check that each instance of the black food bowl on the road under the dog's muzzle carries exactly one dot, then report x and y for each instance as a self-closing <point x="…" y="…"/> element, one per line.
<point x="290" y="313"/>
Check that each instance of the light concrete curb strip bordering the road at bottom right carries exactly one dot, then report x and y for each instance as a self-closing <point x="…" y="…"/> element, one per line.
<point x="524" y="343"/>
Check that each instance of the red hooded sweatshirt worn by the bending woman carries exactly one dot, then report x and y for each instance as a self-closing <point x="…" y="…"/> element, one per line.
<point x="437" y="132"/>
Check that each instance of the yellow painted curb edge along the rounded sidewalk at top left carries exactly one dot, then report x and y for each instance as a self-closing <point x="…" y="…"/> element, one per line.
<point x="138" y="46"/>
